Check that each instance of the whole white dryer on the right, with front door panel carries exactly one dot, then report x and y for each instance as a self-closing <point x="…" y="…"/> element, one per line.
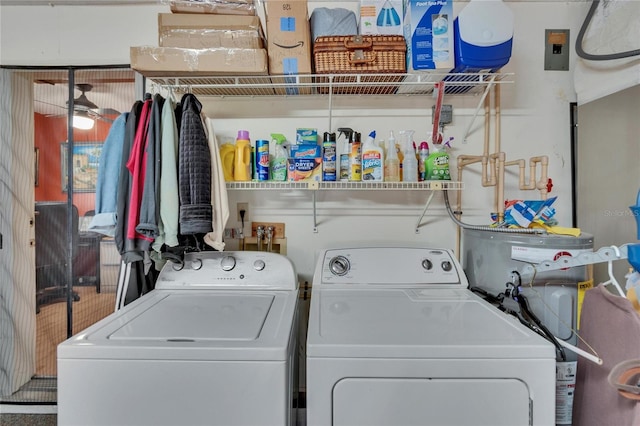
<point x="396" y="338"/>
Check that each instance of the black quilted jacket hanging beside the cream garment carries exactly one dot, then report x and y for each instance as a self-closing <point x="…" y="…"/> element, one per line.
<point x="194" y="170"/>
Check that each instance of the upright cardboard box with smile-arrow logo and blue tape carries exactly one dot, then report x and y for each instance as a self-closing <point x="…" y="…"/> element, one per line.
<point x="288" y="37"/>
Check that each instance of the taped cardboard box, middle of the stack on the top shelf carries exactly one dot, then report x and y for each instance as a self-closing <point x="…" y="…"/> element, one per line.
<point x="201" y="31"/>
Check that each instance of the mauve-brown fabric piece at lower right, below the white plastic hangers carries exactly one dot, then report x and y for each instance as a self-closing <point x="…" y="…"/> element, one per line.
<point x="612" y="327"/>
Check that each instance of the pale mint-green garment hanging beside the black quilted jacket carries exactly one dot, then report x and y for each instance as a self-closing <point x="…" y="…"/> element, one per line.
<point x="169" y="199"/>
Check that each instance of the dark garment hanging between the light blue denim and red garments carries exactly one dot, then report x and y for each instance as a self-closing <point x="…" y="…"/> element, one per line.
<point x="124" y="185"/>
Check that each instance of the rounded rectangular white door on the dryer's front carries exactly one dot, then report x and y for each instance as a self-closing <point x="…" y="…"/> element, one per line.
<point x="431" y="401"/>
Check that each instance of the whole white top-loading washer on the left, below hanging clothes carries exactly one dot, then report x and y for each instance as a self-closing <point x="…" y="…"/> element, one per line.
<point x="214" y="344"/>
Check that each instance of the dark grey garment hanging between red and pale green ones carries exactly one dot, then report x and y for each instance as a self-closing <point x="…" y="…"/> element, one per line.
<point x="149" y="203"/>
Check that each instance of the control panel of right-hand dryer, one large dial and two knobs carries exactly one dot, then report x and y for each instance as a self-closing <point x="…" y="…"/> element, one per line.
<point x="395" y="266"/>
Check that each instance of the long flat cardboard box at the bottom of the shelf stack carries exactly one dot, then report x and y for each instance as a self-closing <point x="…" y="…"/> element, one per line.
<point x="173" y="61"/>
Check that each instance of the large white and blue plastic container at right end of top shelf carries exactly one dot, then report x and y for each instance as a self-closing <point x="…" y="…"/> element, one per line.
<point x="483" y="36"/>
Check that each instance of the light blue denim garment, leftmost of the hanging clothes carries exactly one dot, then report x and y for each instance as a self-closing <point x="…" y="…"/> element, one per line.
<point x="104" y="221"/>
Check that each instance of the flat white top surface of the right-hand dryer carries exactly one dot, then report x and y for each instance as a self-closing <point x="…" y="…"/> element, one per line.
<point x="416" y="323"/>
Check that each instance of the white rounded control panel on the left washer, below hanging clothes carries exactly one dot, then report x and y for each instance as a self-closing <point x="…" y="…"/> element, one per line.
<point x="229" y="270"/>
